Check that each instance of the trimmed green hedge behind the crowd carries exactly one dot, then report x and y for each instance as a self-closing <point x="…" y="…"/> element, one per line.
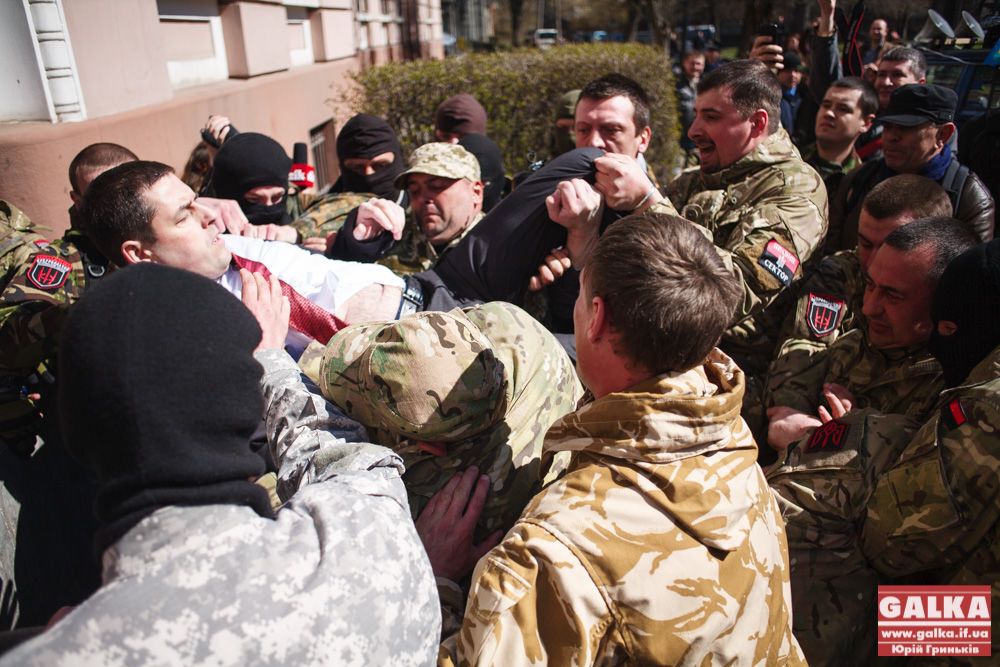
<point x="520" y="90"/>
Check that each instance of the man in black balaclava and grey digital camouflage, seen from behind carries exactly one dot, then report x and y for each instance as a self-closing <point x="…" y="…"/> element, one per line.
<point x="165" y="375"/>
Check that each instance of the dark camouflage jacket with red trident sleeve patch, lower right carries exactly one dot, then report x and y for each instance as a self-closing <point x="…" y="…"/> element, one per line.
<point x="822" y="487"/>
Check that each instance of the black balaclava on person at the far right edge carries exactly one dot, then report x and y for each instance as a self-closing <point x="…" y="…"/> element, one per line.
<point x="968" y="295"/>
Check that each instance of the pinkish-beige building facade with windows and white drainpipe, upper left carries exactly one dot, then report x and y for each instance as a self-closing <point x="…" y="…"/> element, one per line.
<point x="147" y="74"/>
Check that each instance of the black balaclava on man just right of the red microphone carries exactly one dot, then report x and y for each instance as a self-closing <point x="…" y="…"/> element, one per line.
<point x="365" y="137"/>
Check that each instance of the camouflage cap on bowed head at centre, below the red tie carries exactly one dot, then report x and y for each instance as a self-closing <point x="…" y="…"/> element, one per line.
<point x="431" y="376"/>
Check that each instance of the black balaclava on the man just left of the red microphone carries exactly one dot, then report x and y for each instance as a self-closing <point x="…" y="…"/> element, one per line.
<point x="247" y="161"/>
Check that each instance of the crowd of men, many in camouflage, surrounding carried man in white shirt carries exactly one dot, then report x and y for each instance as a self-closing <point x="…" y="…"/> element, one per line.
<point x="437" y="420"/>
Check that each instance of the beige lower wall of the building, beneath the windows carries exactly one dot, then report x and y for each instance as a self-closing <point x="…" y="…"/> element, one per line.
<point x="34" y="157"/>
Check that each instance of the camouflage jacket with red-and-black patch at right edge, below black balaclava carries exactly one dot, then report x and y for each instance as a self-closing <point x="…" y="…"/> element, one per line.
<point x="937" y="509"/>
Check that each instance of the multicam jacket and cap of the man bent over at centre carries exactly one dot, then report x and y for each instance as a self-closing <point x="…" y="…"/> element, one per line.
<point x="535" y="385"/>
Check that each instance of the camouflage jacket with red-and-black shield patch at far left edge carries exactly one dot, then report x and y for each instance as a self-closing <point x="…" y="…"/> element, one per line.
<point x="33" y="307"/>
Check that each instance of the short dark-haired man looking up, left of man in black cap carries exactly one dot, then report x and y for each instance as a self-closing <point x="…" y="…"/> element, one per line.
<point x="846" y="112"/>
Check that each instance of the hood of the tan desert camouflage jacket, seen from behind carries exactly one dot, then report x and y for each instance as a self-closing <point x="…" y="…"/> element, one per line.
<point x="684" y="433"/>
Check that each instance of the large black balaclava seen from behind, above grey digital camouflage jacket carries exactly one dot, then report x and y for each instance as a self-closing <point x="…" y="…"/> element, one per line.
<point x="159" y="393"/>
